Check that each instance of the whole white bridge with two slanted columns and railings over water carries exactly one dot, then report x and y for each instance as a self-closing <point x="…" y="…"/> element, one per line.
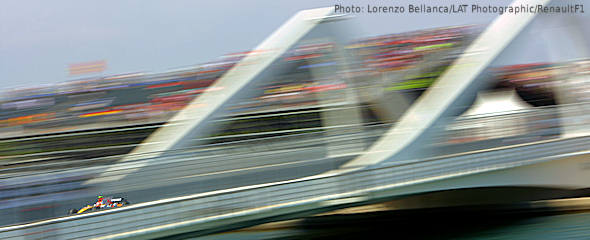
<point x="189" y="190"/>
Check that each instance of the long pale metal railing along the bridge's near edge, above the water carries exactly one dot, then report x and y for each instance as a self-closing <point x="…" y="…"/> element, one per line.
<point x="220" y="209"/>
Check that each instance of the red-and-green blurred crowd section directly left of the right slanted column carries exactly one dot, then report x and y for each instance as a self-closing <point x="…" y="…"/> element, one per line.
<point x="411" y="61"/>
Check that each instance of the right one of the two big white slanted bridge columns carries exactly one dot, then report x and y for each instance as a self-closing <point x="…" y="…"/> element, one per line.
<point x="404" y="140"/>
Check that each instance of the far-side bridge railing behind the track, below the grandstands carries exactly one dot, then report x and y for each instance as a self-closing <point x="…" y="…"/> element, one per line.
<point x="520" y="122"/>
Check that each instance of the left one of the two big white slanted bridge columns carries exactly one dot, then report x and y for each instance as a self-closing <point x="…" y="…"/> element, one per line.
<point x="192" y="121"/>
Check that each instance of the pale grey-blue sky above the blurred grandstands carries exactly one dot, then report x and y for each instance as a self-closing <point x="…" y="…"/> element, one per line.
<point x="39" y="38"/>
